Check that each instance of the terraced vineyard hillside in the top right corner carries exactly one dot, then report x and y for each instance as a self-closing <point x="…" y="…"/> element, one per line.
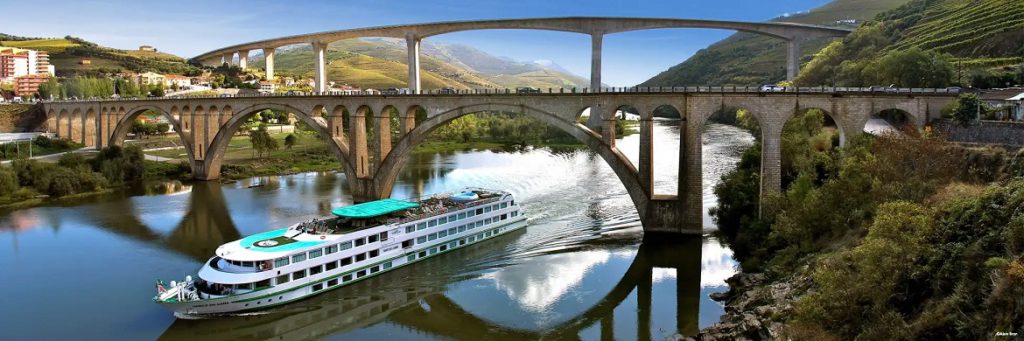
<point x="979" y="44"/>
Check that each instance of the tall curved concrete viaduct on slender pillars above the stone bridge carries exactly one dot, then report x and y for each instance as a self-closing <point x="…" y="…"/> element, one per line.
<point x="793" y="34"/>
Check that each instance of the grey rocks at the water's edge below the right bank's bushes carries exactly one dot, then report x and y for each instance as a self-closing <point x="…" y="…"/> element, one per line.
<point x="755" y="307"/>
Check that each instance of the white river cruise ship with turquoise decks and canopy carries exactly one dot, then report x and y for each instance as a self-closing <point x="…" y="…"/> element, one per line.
<point x="356" y="243"/>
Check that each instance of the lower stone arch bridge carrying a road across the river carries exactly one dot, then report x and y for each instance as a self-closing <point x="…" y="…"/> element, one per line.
<point x="207" y="124"/>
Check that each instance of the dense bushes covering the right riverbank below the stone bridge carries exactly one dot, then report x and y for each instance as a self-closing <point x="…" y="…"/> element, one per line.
<point x="887" y="238"/>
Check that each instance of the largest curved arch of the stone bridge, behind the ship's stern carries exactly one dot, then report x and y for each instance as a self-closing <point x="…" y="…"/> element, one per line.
<point x="389" y="172"/>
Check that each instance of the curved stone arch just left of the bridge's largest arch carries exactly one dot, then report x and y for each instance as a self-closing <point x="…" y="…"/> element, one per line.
<point x="219" y="144"/>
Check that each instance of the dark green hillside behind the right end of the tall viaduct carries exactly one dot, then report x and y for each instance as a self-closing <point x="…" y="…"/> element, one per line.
<point x="746" y="59"/>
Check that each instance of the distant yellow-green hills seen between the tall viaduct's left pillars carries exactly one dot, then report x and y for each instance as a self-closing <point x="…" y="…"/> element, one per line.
<point x="380" y="64"/>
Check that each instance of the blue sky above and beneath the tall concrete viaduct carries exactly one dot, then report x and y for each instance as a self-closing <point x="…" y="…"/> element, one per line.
<point x="189" y="28"/>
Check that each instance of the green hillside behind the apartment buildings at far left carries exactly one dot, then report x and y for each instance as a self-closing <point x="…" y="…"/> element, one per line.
<point x="67" y="55"/>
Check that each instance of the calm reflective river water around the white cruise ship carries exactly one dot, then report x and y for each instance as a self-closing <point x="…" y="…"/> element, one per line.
<point x="581" y="270"/>
